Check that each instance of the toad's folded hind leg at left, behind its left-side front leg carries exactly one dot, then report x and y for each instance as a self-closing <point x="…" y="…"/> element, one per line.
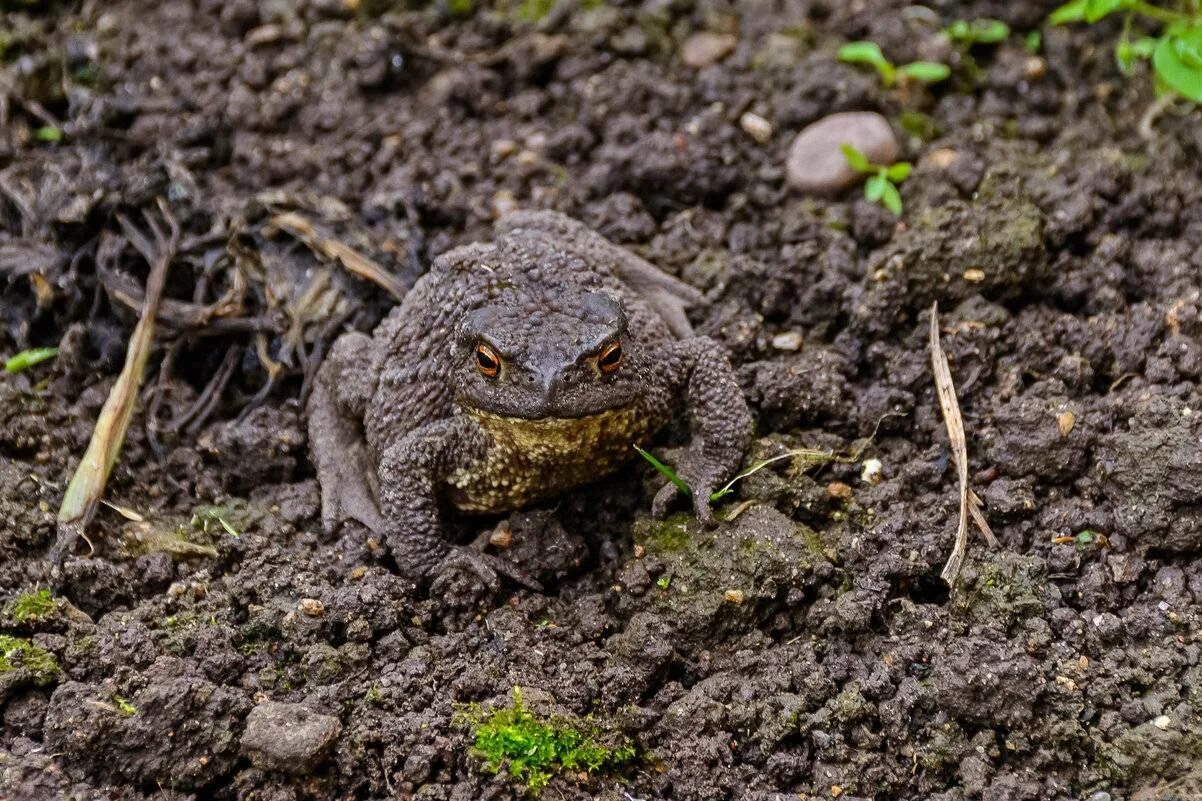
<point x="336" y="408"/>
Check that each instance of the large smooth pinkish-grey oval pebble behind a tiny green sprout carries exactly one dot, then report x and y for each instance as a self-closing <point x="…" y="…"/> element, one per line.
<point x="816" y="163"/>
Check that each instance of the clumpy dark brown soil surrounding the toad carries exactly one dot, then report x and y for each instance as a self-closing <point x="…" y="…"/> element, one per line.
<point x="808" y="648"/>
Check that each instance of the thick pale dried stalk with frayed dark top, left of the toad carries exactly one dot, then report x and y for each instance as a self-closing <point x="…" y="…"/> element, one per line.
<point x="91" y="477"/>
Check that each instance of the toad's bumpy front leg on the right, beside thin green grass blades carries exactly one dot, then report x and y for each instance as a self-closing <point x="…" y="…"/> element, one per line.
<point x="698" y="372"/>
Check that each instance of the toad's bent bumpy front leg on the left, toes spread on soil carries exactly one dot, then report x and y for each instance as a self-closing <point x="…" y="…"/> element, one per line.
<point x="412" y="471"/>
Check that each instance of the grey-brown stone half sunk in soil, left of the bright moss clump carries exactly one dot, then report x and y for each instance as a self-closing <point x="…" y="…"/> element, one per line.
<point x="288" y="737"/>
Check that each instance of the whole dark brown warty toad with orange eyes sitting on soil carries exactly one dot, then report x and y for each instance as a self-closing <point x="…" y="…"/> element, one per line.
<point x="413" y="414"/>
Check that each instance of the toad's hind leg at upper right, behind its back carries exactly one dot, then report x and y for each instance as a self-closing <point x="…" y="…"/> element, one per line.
<point x="669" y="296"/>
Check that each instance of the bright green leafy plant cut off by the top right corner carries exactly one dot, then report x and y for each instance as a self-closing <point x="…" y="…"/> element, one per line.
<point x="1176" y="54"/>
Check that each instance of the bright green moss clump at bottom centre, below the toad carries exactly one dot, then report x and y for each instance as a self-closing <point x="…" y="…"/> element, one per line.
<point x="532" y="750"/>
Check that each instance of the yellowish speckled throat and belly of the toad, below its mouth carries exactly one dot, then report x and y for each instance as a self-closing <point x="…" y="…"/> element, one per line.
<point x="533" y="460"/>
